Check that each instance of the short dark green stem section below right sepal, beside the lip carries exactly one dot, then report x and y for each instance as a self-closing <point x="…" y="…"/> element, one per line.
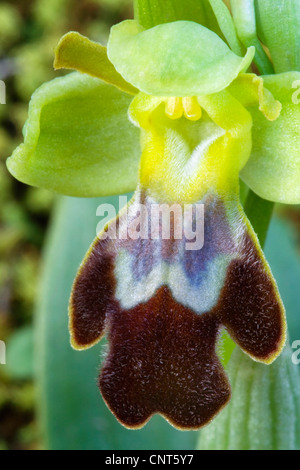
<point x="259" y="212"/>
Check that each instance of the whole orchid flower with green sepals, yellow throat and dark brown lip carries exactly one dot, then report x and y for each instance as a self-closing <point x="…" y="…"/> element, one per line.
<point x="198" y="118"/>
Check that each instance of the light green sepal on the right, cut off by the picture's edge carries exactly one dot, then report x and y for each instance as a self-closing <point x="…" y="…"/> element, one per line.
<point x="273" y="170"/>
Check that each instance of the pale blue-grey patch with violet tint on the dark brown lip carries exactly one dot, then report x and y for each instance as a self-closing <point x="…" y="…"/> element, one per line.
<point x="195" y="277"/>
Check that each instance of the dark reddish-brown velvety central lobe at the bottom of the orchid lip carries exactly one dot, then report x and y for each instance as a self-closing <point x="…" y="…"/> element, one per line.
<point x="162" y="360"/>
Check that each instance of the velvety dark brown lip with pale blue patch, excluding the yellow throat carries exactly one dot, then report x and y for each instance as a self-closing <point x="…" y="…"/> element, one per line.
<point x="163" y="323"/>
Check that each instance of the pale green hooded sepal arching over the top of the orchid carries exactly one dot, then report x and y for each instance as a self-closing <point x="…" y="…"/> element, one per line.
<point x="174" y="59"/>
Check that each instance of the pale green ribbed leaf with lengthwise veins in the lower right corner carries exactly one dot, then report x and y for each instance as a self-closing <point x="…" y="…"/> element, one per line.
<point x="264" y="412"/>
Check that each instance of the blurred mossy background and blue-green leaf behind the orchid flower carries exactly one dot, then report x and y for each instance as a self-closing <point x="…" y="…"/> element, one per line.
<point x="62" y="408"/>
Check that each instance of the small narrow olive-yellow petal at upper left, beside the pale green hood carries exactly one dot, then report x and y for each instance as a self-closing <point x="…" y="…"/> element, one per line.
<point x="77" y="52"/>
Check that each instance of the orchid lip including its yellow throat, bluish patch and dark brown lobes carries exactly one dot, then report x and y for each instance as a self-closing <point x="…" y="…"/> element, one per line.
<point x="163" y="306"/>
